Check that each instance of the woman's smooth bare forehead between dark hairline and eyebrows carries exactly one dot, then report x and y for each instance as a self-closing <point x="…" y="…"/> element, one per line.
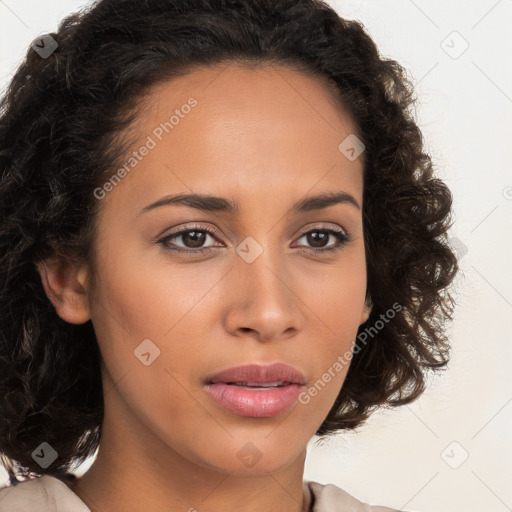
<point x="260" y="130"/>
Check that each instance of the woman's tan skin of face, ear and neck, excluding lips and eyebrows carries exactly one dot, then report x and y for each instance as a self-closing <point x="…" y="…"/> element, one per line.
<point x="266" y="138"/>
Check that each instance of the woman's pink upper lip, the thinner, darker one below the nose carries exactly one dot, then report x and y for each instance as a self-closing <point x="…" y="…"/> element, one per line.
<point x="260" y="373"/>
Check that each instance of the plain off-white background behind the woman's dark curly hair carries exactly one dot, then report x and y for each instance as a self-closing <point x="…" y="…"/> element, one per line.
<point x="405" y="458"/>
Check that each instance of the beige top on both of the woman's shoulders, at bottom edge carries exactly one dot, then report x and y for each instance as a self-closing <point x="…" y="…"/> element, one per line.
<point x="49" y="494"/>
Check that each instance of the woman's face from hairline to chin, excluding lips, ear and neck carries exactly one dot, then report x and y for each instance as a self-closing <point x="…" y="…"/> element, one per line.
<point x="184" y="290"/>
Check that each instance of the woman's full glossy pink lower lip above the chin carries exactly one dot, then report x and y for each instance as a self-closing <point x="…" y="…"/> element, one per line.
<point x="257" y="402"/>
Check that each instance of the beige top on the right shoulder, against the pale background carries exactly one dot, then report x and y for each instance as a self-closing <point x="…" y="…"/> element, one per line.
<point x="329" y="498"/>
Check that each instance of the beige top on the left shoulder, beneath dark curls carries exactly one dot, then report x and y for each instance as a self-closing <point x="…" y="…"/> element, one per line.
<point x="44" y="494"/>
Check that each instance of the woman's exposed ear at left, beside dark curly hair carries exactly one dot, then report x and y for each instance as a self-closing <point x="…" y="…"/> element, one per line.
<point x="65" y="285"/>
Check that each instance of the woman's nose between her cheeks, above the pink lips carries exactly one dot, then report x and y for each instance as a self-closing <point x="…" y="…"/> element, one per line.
<point x="261" y="302"/>
